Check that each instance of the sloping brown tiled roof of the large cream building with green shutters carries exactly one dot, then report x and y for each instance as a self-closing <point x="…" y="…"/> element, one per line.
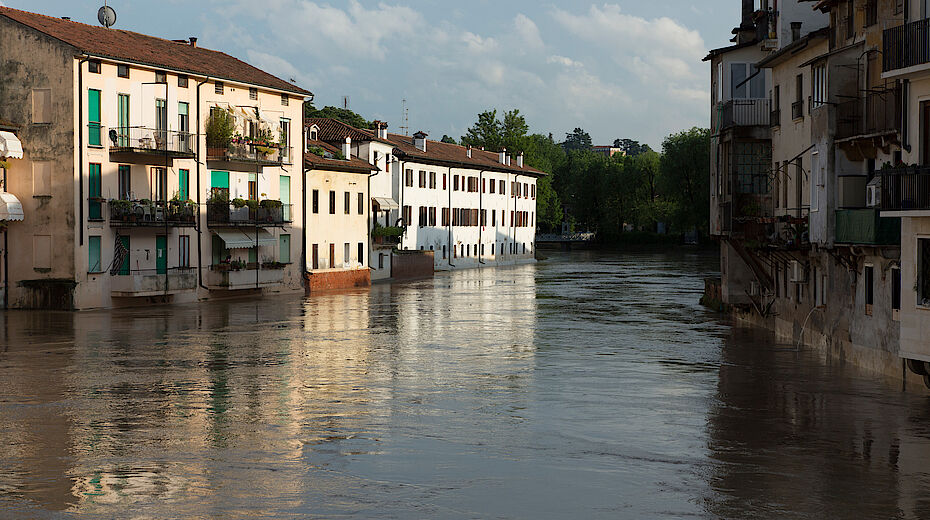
<point x="149" y="50"/>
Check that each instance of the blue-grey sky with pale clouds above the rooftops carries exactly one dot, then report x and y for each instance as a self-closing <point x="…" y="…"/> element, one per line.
<point x="622" y="68"/>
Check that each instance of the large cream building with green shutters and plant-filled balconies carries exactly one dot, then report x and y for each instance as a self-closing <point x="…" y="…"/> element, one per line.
<point x="125" y="200"/>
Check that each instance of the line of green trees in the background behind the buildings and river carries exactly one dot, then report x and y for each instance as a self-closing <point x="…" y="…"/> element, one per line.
<point x="636" y="189"/>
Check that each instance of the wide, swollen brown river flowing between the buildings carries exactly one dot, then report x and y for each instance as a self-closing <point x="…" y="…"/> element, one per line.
<point x="592" y="385"/>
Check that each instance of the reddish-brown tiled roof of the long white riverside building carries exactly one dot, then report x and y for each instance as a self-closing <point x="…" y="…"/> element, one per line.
<point x="448" y="154"/>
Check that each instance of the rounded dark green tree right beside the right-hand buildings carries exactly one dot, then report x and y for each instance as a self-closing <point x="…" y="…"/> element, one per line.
<point x="684" y="178"/>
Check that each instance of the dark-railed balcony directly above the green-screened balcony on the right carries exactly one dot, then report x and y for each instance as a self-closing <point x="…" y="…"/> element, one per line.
<point x="876" y="113"/>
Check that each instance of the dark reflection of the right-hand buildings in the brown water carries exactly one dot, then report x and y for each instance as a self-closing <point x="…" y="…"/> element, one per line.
<point x="788" y="430"/>
